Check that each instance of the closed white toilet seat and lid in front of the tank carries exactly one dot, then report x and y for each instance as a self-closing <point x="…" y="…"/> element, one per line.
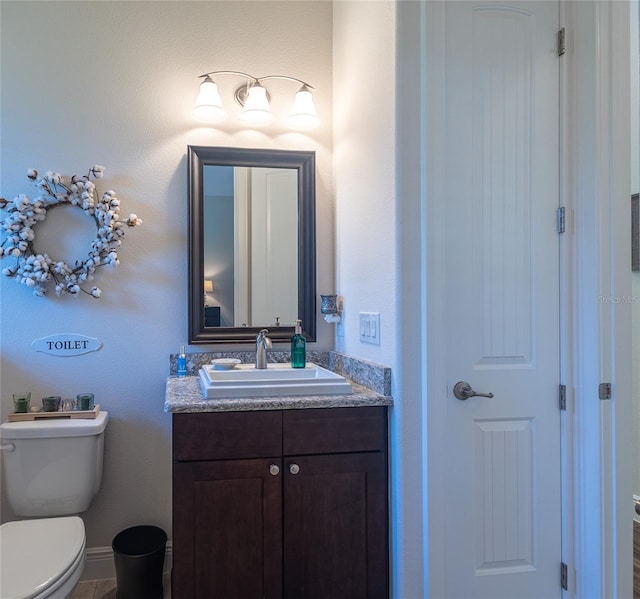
<point x="38" y="557"/>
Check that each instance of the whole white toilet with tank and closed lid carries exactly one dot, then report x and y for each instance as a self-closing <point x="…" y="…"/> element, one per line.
<point x="52" y="471"/>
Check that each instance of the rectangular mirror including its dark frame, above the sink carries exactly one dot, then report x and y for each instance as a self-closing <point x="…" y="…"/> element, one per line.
<point x="252" y="255"/>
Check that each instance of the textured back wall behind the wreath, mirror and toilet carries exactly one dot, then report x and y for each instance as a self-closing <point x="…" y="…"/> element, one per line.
<point x="113" y="83"/>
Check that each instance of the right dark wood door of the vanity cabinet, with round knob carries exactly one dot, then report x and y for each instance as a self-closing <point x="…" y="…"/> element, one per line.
<point x="335" y="526"/>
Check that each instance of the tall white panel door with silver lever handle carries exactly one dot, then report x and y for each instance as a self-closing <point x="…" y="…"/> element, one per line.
<point x="502" y="290"/>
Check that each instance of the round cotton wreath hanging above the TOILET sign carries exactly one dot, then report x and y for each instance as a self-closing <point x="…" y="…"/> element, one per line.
<point x="37" y="270"/>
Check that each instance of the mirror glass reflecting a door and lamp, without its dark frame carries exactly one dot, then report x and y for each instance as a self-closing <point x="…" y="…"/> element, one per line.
<point x="250" y="246"/>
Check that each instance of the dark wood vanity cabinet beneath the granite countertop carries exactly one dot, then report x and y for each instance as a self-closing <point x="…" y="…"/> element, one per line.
<point x="274" y="504"/>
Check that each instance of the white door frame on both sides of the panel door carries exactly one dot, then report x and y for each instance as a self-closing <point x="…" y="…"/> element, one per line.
<point x="596" y="335"/>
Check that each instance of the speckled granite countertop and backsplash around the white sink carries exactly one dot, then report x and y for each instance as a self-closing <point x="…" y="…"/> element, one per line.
<point x="183" y="395"/>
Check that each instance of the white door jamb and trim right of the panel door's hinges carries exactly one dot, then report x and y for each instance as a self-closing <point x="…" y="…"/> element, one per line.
<point x="597" y="329"/>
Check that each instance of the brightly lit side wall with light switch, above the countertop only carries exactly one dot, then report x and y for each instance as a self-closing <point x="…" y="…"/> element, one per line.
<point x="364" y="171"/>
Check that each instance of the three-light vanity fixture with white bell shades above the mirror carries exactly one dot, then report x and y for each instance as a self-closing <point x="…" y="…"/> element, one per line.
<point x="254" y="99"/>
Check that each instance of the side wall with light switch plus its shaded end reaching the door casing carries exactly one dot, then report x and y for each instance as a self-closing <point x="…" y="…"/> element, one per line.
<point x="376" y="133"/>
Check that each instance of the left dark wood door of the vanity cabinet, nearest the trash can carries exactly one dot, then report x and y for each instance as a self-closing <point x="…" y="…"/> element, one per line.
<point x="227" y="529"/>
